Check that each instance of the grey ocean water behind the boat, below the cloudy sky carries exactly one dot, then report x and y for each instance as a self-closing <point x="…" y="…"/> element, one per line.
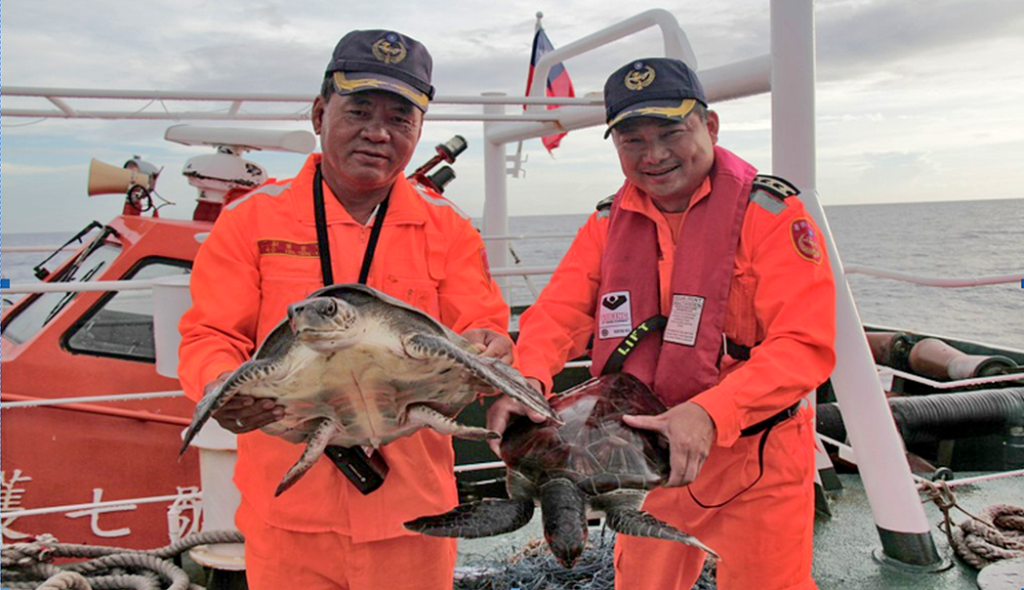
<point x="950" y="240"/>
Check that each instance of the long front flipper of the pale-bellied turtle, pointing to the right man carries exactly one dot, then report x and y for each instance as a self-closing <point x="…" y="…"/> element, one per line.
<point x="492" y="371"/>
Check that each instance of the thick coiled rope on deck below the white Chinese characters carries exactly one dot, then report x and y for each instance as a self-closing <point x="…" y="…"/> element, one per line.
<point x="29" y="566"/>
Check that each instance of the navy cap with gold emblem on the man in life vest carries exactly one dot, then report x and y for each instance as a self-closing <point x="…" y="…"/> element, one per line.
<point x="652" y="88"/>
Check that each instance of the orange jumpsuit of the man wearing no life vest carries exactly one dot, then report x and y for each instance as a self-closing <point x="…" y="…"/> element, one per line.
<point x="261" y="258"/>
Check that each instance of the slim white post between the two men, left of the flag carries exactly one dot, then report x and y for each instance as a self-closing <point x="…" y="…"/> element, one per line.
<point x="496" y="209"/>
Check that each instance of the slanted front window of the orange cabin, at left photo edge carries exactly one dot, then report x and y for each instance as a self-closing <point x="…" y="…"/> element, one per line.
<point x="35" y="315"/>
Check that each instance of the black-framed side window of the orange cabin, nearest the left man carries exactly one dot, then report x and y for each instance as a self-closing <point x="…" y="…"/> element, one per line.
<point x="121" y="325"/>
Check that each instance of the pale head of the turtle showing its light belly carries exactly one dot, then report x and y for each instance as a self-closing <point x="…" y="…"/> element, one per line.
<point x="324" y="323"/>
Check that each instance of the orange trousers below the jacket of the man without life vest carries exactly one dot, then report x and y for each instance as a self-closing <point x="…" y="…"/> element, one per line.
<point x="278" y="560"/>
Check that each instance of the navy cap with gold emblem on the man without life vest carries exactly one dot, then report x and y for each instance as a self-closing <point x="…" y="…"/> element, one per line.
<point x="382" y="61"/>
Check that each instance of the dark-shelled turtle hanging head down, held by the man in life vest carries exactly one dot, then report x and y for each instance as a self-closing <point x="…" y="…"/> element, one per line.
<point x="592" y="461"/>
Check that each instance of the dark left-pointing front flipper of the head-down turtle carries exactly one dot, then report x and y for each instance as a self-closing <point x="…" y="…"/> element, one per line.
<point x="484" y="519"/>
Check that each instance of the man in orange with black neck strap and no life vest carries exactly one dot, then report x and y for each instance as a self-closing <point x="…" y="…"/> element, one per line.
<point x="264" y="256"/>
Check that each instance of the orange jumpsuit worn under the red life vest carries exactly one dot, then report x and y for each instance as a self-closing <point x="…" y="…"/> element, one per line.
<point x="782" y="298"/>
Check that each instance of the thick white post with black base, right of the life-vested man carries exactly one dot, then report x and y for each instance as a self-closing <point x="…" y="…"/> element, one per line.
<point x="900" y="517"/>
